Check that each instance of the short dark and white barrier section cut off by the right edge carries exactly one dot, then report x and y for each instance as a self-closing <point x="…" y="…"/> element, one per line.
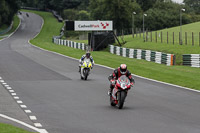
<point x="192" y="60"/>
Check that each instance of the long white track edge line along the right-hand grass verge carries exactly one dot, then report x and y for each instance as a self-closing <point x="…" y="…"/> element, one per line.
<point x="113" y="68"/>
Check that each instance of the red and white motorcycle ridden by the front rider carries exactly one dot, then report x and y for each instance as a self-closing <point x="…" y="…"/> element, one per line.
<point x="120" y="92"/>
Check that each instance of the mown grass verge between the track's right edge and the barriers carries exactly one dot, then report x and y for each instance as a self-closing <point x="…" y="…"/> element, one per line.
<point x="180" y="75"/>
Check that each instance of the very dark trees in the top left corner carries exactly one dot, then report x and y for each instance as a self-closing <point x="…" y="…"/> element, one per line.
<point x="7" y="10"/>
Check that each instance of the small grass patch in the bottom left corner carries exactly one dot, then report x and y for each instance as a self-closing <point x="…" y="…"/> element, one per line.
<point x="5" y="128"/>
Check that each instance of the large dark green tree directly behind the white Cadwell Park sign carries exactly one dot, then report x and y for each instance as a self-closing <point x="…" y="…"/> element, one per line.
<point x="120" y="11"/>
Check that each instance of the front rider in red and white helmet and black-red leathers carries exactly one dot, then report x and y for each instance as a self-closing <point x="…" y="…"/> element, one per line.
<point x="122" y="70"/>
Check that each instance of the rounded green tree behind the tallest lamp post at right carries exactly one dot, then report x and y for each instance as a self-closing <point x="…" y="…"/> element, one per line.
<point x="165" y="15"/>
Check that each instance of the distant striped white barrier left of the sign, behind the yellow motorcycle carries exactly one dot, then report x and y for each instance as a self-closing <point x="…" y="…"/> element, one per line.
<point x="69" y="43"/>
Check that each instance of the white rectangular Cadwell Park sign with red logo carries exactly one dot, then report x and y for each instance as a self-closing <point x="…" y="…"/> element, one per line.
<point x="93" y="26"/>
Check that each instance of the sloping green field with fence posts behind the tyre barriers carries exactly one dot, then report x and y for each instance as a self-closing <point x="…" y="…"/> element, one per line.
<point x="178" y="50"/>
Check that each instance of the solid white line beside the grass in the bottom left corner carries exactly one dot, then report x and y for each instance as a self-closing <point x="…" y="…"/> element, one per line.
<point x="24" y="124"/>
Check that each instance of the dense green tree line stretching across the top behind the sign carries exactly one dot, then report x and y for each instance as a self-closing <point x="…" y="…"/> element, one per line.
<point x="160" y="13"/>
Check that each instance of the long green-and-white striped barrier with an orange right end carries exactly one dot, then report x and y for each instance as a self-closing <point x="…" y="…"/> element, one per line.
<point x="157" y="57"/>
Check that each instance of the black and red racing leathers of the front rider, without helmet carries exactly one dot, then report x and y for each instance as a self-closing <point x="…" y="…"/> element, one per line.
<point x="115" y="75"/>
